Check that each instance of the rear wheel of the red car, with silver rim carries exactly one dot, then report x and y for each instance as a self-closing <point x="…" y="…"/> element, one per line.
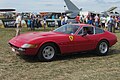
<point x="102" y="48"/>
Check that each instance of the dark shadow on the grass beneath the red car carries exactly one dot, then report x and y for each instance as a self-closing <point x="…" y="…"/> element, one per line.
<point x="72" y="56"/>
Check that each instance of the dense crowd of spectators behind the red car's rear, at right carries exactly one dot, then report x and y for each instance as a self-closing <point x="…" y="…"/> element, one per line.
<point x="110" y="23"/>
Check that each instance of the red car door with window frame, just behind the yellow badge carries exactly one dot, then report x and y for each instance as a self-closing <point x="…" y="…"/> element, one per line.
<point x="83" y="43"/>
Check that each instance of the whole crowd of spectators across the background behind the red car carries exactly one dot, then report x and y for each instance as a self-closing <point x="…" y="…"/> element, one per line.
<point x="110" y="23"/>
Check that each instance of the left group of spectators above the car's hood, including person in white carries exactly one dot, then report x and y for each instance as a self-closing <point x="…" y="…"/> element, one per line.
<point x="33" y="21"/>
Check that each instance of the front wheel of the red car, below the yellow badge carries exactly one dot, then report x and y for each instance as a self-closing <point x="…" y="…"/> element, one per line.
<point x="47" y="52"/>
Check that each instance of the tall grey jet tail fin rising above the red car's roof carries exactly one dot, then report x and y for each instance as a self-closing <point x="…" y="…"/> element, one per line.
<point x="73" y="10"/>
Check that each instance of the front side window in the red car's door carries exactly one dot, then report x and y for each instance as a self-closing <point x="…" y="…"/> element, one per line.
<point x="87" y="29"/>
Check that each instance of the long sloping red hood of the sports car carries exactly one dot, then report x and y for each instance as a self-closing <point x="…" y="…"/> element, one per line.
<point x="27" y="37"/>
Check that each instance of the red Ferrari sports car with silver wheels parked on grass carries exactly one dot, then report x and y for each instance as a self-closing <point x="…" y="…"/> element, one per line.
<point x="66" y="39"/>
